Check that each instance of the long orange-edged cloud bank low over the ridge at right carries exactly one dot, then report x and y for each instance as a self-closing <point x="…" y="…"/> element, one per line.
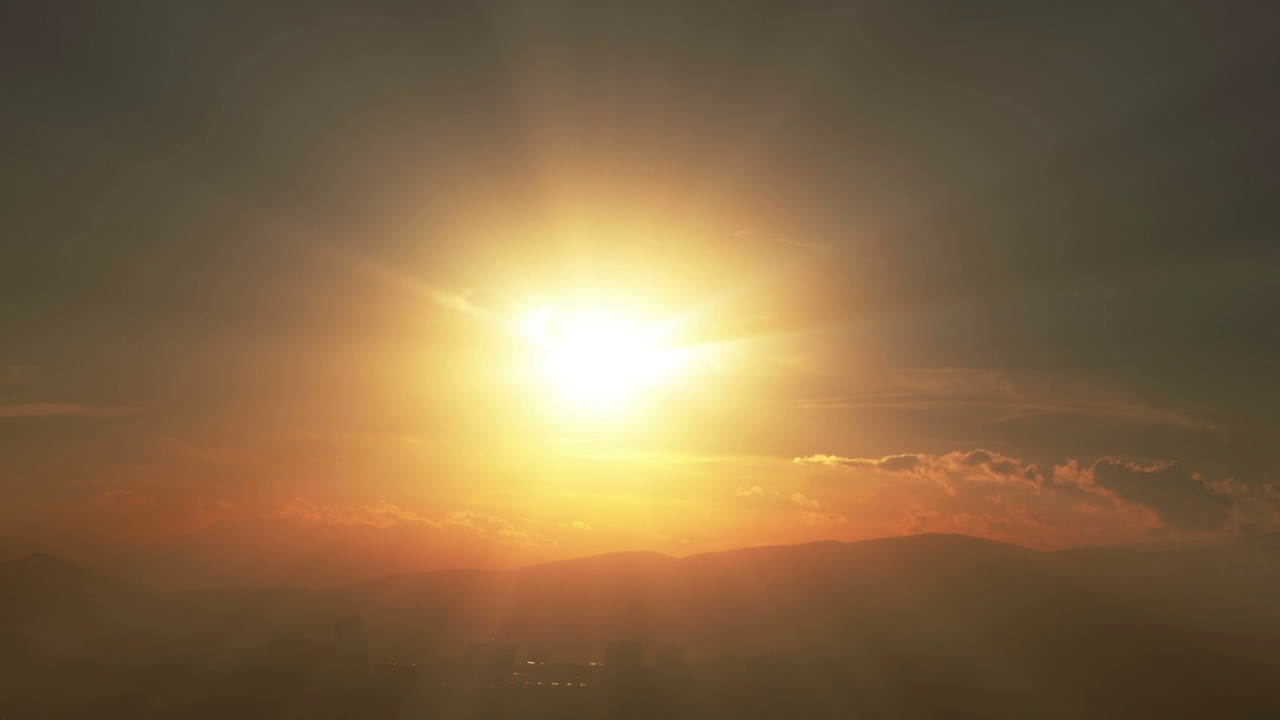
<point x="988" y="494"/>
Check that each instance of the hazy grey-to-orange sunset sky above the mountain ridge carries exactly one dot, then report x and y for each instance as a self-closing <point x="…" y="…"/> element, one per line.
<point x="272" y="280"/>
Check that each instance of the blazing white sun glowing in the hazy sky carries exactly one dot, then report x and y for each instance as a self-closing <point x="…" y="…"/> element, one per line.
<point x="600" y="359"/>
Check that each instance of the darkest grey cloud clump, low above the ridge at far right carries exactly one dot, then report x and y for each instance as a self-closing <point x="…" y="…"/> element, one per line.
<point x="1182" y="500"/>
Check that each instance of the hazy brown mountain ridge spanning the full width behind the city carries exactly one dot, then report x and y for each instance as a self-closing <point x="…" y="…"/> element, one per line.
<point x="828" y="596"/>
